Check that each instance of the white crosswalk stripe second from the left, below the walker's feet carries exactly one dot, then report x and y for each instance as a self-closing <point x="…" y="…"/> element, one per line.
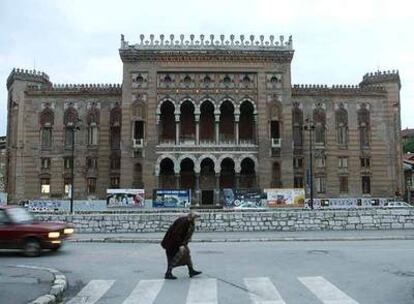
<point x="145" y="292"/>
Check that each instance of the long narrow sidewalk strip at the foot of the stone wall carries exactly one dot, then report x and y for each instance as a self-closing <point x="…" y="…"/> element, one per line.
<point x="271" y="236"/>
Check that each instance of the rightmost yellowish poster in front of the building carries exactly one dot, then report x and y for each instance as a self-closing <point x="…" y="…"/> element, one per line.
<point x="281" y="197"/>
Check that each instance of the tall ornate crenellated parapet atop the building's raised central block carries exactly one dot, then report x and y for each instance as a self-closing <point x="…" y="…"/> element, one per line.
<point x="207" y="47"/>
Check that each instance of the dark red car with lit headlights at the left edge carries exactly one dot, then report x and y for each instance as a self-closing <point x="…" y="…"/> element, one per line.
<point x="19" y="230"/>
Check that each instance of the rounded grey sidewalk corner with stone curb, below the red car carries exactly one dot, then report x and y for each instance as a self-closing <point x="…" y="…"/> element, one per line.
<point x="40" y="285"/>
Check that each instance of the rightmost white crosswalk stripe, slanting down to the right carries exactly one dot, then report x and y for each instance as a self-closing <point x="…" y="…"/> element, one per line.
<point x="326" y="291"/>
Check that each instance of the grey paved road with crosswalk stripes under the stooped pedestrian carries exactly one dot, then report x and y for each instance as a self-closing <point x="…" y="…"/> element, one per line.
<point x="364" y="272"/>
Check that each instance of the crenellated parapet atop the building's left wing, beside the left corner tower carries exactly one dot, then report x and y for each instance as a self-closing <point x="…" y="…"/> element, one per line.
<point x="75" y="89"/>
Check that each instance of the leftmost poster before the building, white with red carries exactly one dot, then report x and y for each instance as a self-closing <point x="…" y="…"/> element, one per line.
<point x="125" y="197"/>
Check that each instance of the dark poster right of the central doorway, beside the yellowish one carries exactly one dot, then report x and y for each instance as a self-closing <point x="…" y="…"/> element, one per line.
<point x="237" y="197"/>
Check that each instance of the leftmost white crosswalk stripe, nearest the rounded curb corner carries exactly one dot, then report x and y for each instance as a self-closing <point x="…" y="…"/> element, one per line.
<point x="92" y="292"/>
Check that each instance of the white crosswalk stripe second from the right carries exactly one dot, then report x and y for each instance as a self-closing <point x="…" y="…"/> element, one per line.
<point x="262" y="291"/>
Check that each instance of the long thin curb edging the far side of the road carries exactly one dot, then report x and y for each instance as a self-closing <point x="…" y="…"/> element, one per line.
<point x="240" y="240"/>
